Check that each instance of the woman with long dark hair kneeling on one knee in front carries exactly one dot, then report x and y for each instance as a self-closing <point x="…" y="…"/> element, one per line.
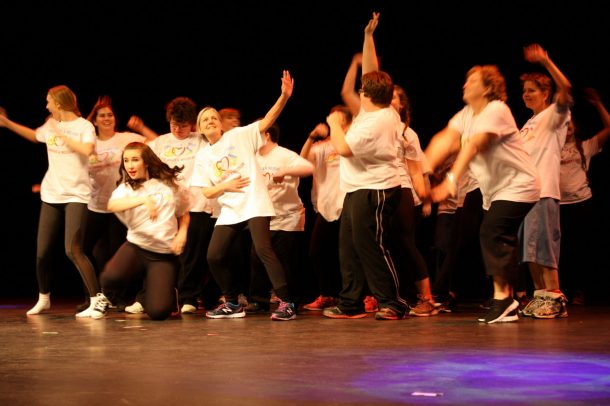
<point x="154" y="206"/>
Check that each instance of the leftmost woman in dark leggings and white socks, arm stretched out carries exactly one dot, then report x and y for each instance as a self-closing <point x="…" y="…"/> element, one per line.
<point x="65" y="189"/>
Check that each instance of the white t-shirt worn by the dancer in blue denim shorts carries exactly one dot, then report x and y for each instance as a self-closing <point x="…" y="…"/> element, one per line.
<point x="543" y="138"/>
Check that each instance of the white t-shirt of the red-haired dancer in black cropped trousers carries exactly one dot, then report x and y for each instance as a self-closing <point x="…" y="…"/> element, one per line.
<point x="504" y="170"/>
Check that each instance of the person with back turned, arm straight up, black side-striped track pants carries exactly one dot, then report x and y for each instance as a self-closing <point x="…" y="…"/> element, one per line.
<point x="370" y="178"/>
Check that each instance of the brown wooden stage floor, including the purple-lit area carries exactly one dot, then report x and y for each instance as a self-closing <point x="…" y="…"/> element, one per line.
<point x="449" y="359"/>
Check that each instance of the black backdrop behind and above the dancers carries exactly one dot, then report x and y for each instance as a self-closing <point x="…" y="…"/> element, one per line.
<point x="231" y="53"/>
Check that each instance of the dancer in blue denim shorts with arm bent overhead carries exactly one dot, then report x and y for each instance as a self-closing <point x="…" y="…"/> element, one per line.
<point x="543" y="136"/>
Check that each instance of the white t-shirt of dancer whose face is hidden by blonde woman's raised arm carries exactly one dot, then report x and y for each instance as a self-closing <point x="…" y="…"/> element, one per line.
<point x="289" y="209"/>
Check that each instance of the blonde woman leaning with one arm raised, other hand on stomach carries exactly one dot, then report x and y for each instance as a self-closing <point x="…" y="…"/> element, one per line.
<point x="228" y="170"/>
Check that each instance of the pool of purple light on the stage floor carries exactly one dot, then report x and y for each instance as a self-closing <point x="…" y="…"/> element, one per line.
<point x="487" y="376"/>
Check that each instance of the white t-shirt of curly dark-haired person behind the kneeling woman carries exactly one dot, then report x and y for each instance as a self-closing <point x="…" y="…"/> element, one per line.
<point x="175" y="152"/>
